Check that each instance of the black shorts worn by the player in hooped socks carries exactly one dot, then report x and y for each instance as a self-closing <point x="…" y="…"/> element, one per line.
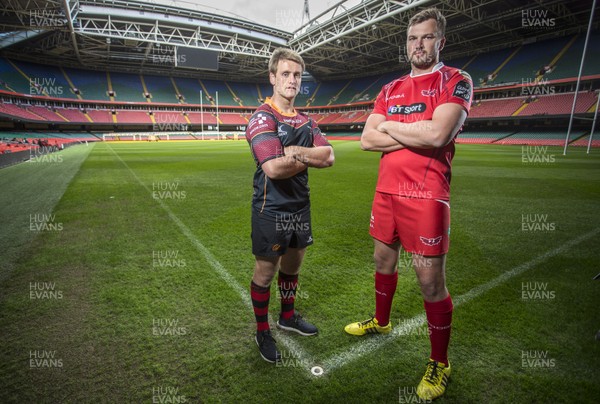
<point x="271" y="236"/>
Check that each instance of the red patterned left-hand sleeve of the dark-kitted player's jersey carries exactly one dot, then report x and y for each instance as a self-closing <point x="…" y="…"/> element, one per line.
<point x="261" y="134"/>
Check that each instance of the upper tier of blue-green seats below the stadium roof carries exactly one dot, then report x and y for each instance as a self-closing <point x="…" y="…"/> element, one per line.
<point x="560" y="57"/>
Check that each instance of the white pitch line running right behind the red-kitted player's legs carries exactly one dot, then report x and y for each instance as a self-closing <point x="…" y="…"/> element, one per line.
<point x="374" y="343"/>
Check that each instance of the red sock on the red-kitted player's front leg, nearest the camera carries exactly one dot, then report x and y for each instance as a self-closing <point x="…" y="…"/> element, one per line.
<point x="439" y="319"/>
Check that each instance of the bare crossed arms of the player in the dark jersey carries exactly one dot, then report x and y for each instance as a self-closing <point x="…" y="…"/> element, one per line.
<point x="298" y="159"/>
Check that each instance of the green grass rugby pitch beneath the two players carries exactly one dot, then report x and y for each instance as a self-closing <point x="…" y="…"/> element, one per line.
<point x="124" y="270"/>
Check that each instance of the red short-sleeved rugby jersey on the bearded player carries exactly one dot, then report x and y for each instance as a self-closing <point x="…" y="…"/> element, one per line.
<point x="413" y="172"/>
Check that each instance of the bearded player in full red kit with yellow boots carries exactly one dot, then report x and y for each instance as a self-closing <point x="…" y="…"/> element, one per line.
<point x="414" y="123"/>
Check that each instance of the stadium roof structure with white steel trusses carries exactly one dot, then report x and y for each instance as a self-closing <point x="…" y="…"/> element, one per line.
<point x="347" y="40"/>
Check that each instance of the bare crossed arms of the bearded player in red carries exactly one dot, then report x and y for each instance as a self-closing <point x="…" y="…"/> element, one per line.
<point x="387" y="136"/>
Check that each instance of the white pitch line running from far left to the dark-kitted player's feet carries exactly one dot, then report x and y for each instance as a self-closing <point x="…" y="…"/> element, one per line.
<point x="297" y="352"/>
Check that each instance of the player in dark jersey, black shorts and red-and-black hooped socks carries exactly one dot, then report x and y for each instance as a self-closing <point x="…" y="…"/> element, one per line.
<point x="284" y="144"/>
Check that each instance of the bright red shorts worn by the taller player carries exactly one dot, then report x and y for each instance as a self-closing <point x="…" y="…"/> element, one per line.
<point x="421" y="225"/>
